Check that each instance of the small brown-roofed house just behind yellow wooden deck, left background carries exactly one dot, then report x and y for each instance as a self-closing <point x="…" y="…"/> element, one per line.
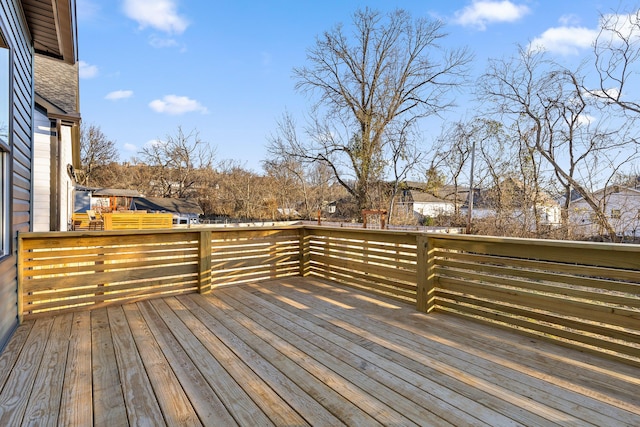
<point x="103" y="199"/>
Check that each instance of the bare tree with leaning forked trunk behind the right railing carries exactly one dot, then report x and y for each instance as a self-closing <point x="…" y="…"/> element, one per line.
<point x="550" y="102"/>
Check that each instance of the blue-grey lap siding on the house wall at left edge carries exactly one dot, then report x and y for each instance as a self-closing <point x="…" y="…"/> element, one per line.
<point x="16" y="36"/>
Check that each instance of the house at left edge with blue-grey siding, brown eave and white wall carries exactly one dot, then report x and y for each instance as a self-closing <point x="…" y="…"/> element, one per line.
<point x="30" y="30"/>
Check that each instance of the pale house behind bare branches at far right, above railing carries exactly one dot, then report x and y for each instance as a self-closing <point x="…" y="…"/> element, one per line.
<point x="621" y="205"/>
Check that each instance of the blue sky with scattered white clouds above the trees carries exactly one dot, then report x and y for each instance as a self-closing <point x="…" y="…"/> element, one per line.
<point x="224" y="68"/>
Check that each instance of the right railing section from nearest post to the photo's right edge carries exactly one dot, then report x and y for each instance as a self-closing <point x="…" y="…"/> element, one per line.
<point x="585" y="295"/>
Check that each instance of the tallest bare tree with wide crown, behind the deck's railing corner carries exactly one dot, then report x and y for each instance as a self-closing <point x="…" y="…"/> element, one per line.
<point x="391" y="73"/>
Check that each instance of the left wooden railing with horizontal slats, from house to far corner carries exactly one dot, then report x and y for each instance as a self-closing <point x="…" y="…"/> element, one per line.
<point x="69" y="271"/>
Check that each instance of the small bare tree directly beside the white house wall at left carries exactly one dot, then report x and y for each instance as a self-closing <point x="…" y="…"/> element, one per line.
<point x="96" y="152"/>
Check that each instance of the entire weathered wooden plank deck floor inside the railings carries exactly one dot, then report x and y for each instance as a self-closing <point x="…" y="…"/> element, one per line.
<point x="299" y="351"/>
